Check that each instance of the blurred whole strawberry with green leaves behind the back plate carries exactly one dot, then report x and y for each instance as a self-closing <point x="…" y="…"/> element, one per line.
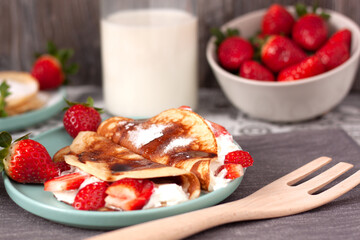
<point x="51" y="69"/>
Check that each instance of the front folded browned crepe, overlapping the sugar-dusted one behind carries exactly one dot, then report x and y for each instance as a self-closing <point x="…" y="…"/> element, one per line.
<point x="110" y="162"/>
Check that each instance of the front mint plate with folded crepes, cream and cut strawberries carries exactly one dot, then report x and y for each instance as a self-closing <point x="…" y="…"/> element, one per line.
<point x="132" y="171"/>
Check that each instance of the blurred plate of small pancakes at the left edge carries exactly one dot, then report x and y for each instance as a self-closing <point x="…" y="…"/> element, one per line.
<point x="25" y="104"/>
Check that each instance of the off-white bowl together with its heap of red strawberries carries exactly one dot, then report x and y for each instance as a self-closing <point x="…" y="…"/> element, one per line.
<point x="285" y="64"/>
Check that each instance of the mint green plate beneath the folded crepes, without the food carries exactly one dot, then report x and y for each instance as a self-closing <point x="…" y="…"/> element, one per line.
<point x="35" y="200"/>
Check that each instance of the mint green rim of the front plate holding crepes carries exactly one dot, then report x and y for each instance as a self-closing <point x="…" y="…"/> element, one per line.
<point x="36" y="207"/>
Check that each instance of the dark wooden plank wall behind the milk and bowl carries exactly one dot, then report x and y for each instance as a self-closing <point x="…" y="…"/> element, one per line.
<point x="26" y="26"/>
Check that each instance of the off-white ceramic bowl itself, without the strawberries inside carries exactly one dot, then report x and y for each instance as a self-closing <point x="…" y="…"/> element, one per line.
<point x="287" y="101"/>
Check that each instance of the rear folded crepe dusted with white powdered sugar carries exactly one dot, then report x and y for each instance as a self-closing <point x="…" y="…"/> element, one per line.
<point x="176" y="137"/>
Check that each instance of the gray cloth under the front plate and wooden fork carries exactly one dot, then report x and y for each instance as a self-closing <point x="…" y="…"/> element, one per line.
<point x="275" y="155"/>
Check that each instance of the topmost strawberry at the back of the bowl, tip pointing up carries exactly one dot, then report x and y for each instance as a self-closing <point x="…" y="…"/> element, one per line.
<point x="277" y="20"/>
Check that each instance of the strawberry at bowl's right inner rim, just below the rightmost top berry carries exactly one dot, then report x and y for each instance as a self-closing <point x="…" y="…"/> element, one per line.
<point x="333" y="54"/>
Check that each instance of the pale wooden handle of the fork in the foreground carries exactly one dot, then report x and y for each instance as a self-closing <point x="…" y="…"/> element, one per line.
<point x="175" y="227"/>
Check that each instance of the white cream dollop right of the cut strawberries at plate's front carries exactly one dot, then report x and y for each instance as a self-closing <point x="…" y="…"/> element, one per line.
<point x="167" y="195"/>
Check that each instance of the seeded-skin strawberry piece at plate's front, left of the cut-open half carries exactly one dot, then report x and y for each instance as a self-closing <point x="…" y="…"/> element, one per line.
<point x="91" y="197"/>
